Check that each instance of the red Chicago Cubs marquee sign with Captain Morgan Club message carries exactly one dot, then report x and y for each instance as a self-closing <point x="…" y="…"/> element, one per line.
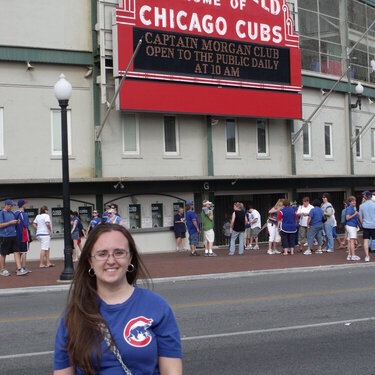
<point x="216" y="57"/>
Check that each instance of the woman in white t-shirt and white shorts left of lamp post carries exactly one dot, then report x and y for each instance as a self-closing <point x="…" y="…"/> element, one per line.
<point x="42" y="225"/>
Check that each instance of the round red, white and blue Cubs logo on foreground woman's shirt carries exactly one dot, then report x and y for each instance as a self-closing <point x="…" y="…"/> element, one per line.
<point x="136" y="332"/>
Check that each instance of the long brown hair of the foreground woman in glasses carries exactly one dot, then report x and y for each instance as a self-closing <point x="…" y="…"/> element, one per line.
<point x="82" y="317"/>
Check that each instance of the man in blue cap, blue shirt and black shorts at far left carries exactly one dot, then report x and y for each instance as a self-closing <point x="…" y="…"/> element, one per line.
<point x="8" y="239"/>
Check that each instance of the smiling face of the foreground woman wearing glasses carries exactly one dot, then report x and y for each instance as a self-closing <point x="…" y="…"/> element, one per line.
<point x="110" y="258"/>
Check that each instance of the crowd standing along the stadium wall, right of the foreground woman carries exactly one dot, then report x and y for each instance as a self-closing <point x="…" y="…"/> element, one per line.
<point x="309" y="225"/>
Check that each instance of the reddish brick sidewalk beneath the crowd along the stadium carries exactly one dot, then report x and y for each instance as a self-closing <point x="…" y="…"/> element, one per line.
<point x="181" y="264"/>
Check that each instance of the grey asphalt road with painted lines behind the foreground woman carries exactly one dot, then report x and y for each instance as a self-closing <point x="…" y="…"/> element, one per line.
<point x="320" y="322"/>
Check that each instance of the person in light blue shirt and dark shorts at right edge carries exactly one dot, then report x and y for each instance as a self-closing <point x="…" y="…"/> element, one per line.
<point x="367" y="220"/>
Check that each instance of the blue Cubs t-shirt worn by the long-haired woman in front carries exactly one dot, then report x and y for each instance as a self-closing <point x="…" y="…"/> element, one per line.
<point x="144" y="329"/>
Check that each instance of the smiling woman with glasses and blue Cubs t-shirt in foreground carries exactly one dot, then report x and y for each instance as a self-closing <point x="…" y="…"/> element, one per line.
<point x="106" y="312"/>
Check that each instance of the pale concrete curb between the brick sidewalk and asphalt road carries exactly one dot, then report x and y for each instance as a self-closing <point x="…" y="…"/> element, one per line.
<point x="213" y="276"/>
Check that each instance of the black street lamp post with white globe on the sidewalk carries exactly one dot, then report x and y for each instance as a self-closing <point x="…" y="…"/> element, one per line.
<point x="63" y="91"/>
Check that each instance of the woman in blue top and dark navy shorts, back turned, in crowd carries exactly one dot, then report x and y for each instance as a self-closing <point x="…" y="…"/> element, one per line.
<point x="287" y="224"/>
